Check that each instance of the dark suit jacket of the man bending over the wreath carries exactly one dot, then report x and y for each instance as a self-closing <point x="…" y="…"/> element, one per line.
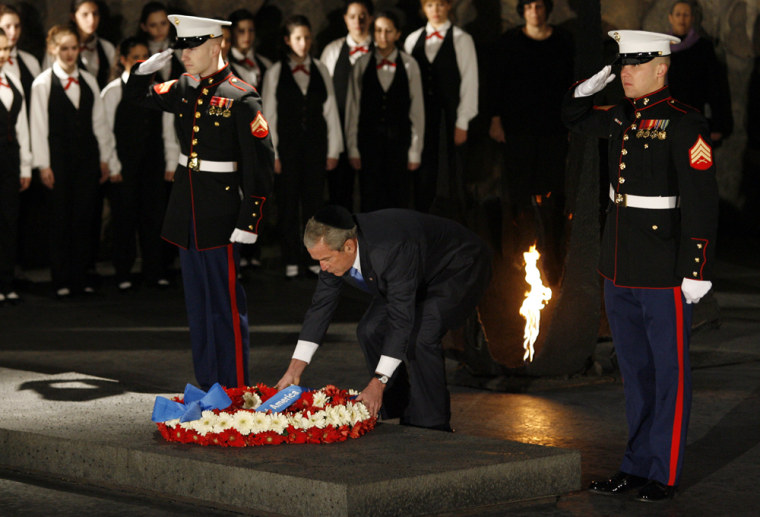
<point x="408" y="259"/>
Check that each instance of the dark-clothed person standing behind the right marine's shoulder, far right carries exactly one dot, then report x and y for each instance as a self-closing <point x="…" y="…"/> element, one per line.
<point x="696" y="77"/>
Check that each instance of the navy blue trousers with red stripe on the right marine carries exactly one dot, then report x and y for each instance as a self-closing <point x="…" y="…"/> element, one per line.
<point x="651" y="329"/>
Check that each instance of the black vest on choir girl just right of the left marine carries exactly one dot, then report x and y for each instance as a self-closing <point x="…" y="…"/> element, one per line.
<point x="299" y="116"/>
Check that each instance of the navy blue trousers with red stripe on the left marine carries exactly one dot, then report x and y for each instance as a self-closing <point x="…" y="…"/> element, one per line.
<point x="216" y="312"/>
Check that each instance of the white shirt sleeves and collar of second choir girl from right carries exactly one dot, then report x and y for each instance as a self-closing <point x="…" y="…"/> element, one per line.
<point x="385" y="75"/>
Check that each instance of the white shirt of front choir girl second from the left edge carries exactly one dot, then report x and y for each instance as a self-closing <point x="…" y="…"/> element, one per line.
<point x="39" y="114"/>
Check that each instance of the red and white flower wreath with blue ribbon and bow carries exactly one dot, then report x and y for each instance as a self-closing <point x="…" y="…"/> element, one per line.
<point x="260" y="415"/>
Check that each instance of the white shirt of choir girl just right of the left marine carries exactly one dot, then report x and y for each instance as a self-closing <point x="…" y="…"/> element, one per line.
<point x="329" y="107"/>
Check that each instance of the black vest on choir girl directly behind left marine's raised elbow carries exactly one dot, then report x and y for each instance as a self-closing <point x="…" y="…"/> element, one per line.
<point x="139" y="133"/>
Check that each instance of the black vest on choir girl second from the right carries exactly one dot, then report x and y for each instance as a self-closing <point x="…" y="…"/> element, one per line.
<point x="385" y="114"/>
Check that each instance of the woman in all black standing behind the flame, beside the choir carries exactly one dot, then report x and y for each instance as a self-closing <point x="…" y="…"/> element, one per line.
<point x="532" y="71"/>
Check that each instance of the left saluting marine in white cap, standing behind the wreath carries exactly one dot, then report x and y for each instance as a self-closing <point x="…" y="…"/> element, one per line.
<point x="222" y="181"/>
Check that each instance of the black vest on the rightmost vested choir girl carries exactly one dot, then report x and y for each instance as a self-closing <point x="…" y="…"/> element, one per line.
<point x="441" y="78"/>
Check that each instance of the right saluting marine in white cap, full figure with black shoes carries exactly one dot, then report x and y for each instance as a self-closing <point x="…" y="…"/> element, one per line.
<point x="657" y="253"/>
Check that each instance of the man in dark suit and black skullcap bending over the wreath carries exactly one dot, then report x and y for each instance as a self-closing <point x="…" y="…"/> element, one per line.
<point x="425" y="274"/>
